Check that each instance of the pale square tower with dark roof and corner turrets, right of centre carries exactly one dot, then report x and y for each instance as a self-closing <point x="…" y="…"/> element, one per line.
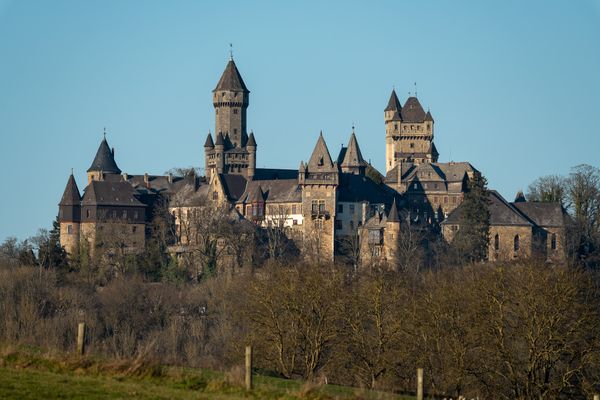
<point x="408" y="133"/>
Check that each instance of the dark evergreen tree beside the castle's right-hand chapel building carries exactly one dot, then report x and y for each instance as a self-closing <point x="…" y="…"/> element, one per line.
<point x="472" y="239"/>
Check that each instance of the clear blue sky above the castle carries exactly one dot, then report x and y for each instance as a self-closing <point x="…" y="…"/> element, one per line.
<point x="513" y="86"/>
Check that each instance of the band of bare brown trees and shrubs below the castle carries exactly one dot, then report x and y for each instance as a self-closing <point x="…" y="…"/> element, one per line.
<point x="512" y="331"/>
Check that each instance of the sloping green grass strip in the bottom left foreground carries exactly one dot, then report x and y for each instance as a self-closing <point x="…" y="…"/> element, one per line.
<point x="26" y="375"/>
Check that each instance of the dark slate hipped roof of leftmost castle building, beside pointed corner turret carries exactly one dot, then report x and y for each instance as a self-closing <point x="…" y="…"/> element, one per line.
<point x="110" y="193"/>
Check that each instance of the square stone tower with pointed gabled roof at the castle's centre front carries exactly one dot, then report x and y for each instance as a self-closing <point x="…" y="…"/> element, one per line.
<point x="319" y="180"/>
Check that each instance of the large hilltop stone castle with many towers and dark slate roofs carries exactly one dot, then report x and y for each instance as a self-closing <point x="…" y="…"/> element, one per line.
<point x="324" y="204"/>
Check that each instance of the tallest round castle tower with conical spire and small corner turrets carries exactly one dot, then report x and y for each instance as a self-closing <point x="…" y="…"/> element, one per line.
<point x="233" y="151"/>
